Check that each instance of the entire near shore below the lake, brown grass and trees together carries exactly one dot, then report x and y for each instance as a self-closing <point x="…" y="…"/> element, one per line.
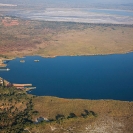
<point x="19" y="111"/>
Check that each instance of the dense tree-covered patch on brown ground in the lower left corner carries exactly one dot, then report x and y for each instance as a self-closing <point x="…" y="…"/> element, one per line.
<point x="12" y="118"/>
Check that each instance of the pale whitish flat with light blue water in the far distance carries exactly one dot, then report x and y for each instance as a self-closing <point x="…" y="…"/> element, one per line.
<point x="82" y="15"/>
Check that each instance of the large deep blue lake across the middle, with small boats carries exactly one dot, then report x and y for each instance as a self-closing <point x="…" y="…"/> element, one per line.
<point x="86" y="77"/>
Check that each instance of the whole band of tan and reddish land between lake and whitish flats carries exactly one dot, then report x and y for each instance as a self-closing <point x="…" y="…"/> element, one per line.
<point x="25" y="37"/>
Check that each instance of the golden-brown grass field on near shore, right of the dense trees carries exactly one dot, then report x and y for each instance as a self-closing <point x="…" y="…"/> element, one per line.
<point x="107" y="116"/>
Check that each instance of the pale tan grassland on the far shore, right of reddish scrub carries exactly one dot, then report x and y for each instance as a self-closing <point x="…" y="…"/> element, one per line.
<point x="90" y="41"/>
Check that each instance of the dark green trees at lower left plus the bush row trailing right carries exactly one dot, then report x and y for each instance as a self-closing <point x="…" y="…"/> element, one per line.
<point x="17" y="111"/>
